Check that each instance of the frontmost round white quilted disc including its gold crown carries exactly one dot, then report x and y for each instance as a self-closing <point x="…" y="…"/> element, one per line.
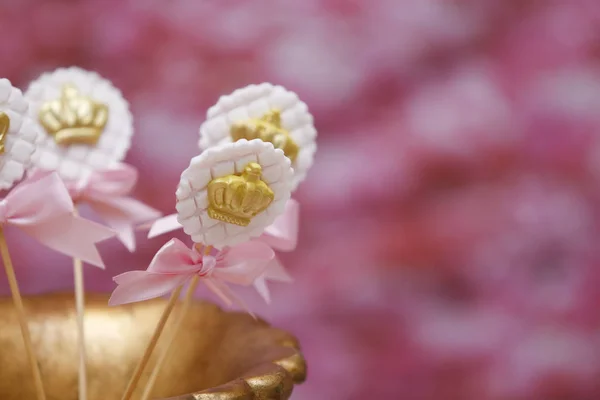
<point x="232" y="192"/>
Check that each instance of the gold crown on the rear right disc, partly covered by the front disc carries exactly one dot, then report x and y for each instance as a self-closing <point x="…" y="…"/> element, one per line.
<point x="268" y="129"/>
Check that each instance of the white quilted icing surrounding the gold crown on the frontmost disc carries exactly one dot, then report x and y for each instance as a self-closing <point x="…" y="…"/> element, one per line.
<point x="226" y="159"/>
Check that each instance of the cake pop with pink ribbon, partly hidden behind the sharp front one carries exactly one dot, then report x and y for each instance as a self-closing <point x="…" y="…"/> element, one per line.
<point x="272" y="114"/>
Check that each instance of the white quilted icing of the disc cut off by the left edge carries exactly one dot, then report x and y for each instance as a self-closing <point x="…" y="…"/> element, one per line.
<point x="22" y="134"/>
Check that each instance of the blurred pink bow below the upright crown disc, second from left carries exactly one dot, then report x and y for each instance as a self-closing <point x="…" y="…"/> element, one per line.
<point x="107" y="192"/>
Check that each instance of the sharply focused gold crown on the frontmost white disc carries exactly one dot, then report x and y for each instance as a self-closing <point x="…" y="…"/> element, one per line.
<point x="236" y="199"/>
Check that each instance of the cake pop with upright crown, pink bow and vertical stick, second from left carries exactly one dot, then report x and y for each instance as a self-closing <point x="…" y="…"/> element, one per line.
<point x="87" y="129"/>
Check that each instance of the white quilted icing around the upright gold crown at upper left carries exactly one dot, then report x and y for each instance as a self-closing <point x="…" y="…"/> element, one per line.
<point x="74" y="162"/>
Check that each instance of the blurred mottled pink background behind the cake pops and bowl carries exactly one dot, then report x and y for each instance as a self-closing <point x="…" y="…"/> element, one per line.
<point x="450" y="228"/>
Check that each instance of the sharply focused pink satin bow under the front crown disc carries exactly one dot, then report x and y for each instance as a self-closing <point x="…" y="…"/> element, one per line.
<point x="175" y="264"/>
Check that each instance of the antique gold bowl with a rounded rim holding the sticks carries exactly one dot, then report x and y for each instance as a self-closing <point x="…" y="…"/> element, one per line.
<point x="218" y="356"/>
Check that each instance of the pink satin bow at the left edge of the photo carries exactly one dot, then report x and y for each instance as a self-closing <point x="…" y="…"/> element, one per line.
<point x="42" y="208"/>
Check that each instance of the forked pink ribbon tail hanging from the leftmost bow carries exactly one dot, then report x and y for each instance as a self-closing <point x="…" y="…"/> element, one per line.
<point x="73" y="236"/>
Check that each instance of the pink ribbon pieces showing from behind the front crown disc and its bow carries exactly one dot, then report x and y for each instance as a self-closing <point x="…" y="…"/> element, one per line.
<point x="282" y="235"/>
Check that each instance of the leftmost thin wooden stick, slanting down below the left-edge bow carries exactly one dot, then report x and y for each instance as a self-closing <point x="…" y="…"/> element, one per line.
<point x="16" y="295"/>
